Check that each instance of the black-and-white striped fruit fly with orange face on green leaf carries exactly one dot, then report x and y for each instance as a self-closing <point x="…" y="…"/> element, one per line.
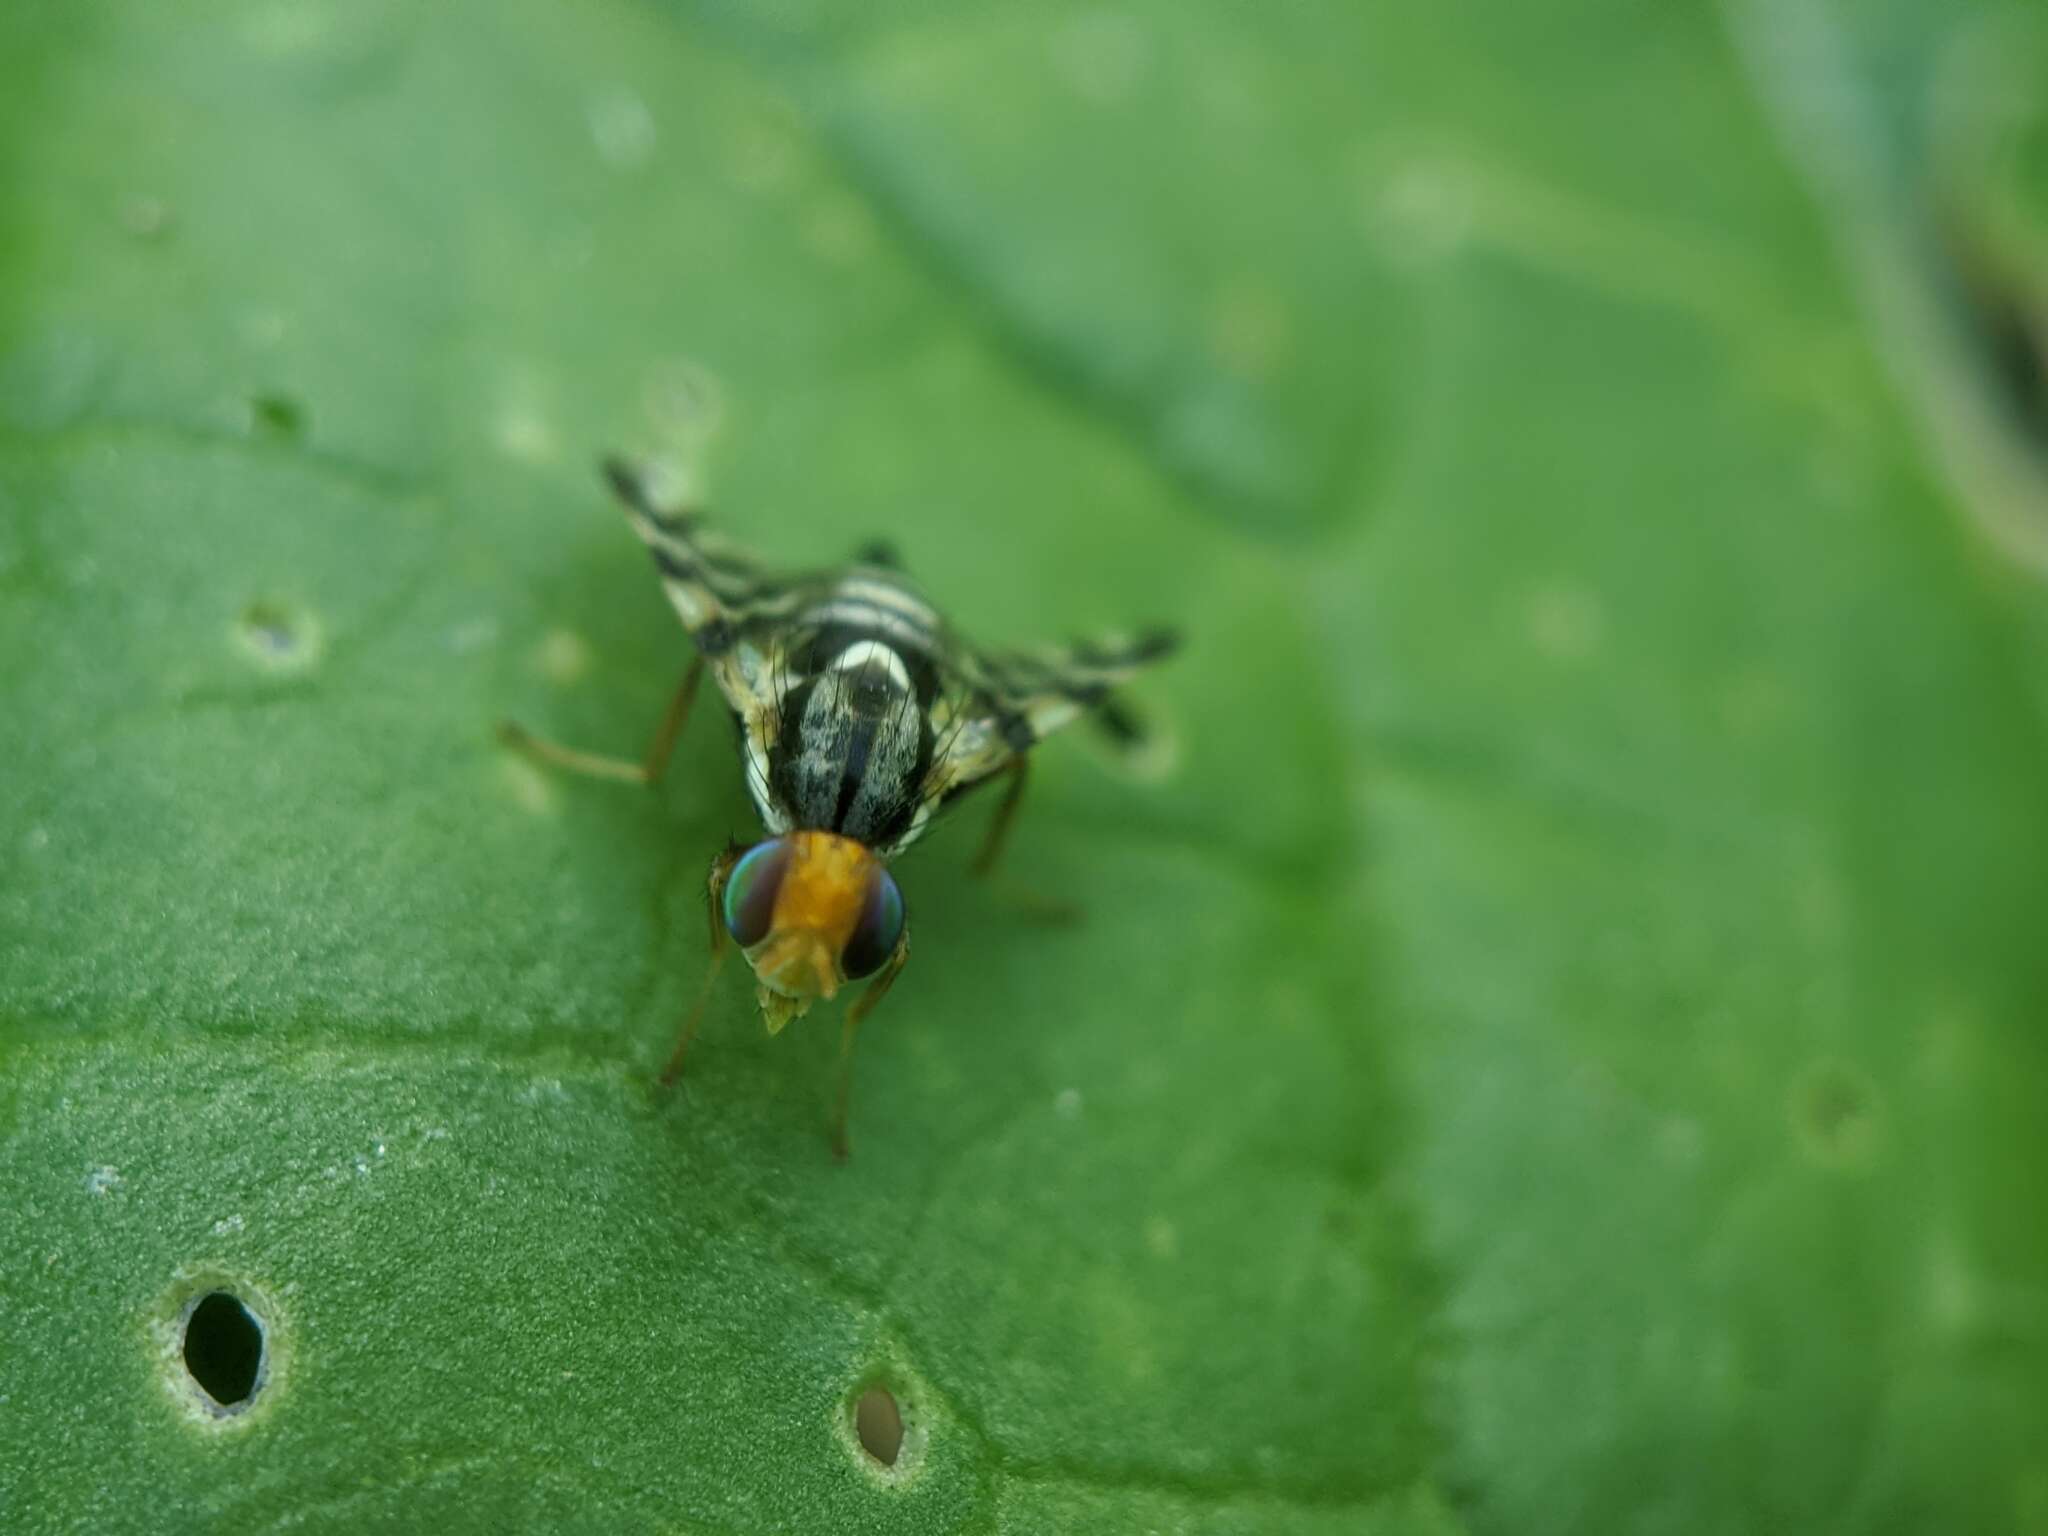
<point x="861" y="718"/>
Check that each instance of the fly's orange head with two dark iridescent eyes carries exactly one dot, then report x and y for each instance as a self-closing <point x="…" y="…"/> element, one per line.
<point x="812" y="912"/>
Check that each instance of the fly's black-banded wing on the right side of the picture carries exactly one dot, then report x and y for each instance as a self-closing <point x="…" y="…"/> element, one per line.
<point x="1009" y="701"/>
